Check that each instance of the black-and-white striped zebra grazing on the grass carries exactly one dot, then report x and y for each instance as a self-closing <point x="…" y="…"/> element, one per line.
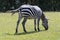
<point x="32" y="12"/>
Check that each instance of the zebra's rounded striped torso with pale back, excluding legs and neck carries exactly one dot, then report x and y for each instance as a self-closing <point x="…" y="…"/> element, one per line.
<point x="30" y="11"/>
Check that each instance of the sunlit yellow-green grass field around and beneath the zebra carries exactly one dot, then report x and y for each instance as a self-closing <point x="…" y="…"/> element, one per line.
<point x="8" y="25"/>
